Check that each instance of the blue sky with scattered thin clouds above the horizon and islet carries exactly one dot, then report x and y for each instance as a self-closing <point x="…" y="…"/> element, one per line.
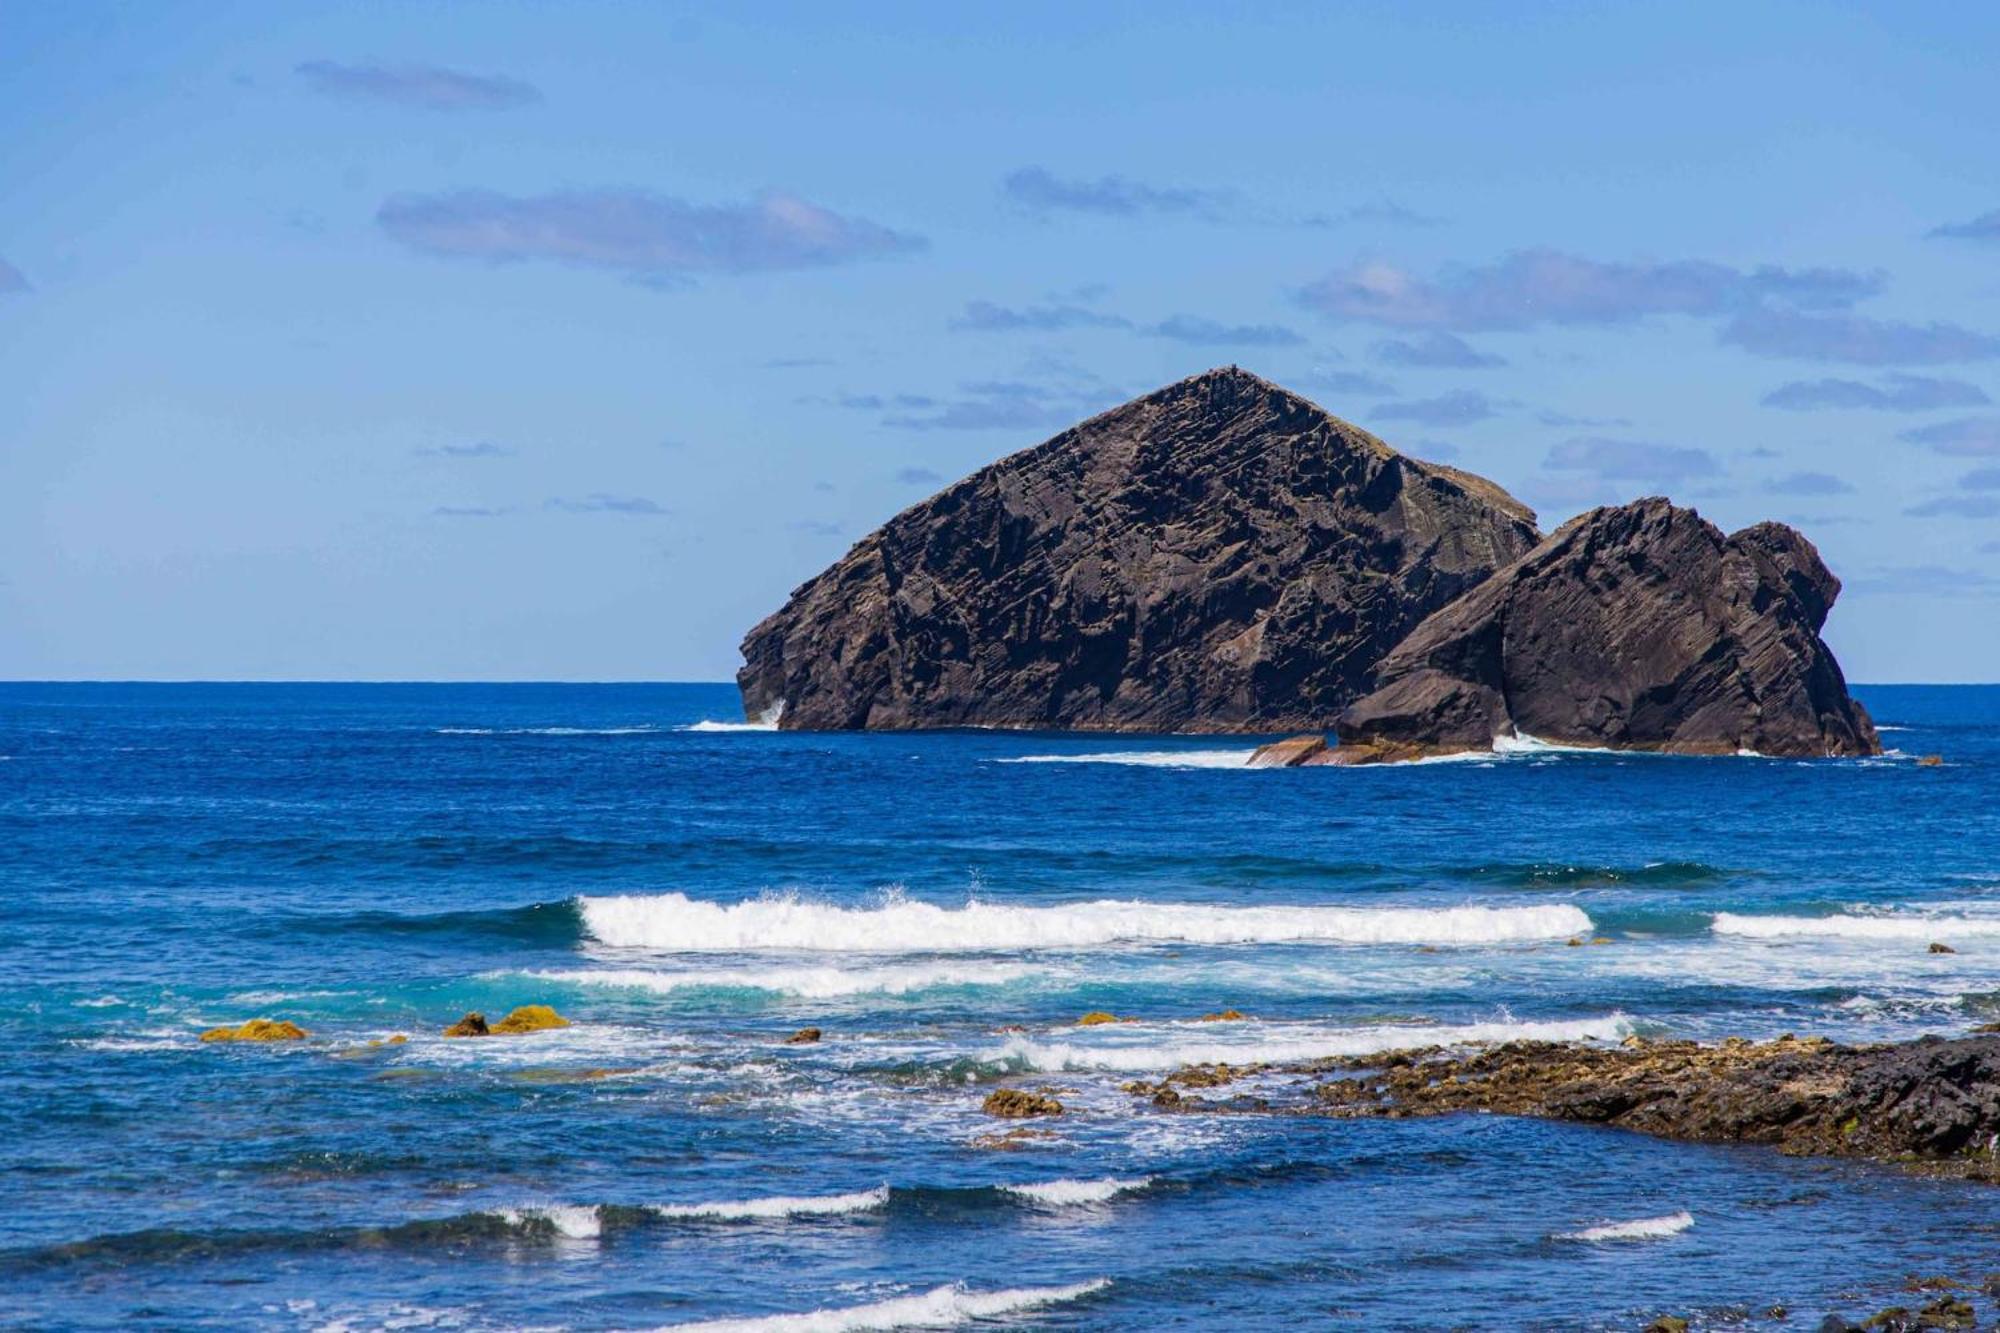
<point x="561" y="343"/>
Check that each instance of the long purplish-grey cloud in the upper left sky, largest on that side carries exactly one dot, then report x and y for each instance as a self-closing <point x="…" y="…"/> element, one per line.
<point x="637" y="233"/>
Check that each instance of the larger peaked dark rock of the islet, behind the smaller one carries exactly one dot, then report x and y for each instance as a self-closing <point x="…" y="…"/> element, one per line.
<point x="1219" y="555"/>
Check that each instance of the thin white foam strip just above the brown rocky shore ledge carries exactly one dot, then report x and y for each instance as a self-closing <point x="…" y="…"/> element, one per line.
<point x="1137" y="1050"/>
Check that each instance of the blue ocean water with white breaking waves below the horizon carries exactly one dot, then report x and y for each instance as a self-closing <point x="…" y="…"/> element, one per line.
<point x="375" y="862"/>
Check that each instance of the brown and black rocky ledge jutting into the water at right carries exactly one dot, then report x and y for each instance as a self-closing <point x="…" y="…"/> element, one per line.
<point x="1931" y="1104"/>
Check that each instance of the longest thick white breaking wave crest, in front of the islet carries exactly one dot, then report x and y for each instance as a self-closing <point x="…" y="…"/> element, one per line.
<point x="901" y="926"/>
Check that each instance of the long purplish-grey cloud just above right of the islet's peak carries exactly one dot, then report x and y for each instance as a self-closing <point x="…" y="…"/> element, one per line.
<point x="1529" y="289"/>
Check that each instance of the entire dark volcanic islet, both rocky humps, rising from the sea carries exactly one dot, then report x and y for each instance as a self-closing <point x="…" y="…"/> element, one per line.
<point x="1227" y="557"/>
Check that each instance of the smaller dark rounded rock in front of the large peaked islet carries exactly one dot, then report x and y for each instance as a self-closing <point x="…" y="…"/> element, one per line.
<point x="1633" y="627"/>
